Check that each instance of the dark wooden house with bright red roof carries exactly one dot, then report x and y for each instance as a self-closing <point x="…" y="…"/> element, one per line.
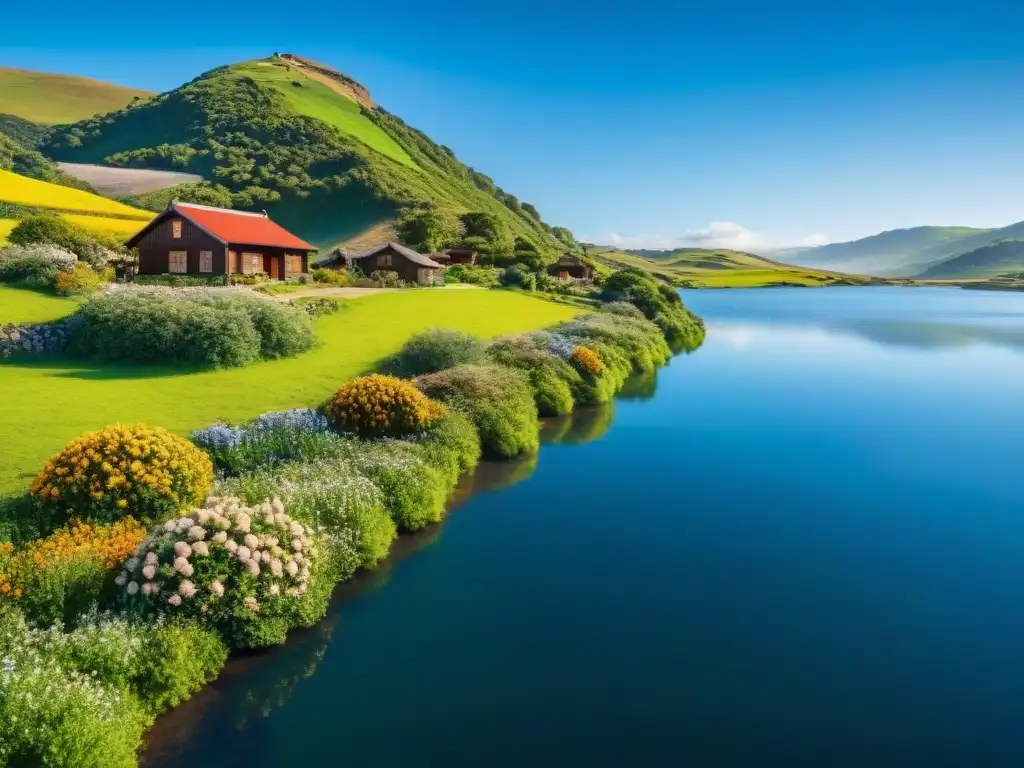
<point x="190" y="239"/>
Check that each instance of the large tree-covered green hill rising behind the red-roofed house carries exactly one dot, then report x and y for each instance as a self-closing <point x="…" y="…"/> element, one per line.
<point x="309" y="145"/>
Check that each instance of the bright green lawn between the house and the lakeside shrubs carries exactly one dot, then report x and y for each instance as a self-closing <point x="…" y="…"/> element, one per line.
<point x="48" y="402"/>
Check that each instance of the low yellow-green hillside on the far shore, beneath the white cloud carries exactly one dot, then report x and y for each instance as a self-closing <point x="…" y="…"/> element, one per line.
<point x="720" y="269"/>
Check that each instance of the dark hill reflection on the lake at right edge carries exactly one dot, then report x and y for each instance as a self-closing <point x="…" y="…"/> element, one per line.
<point x="921" y="335"/>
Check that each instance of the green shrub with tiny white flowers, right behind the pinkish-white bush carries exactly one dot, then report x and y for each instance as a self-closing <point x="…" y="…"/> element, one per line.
<point x="331" y="497"/>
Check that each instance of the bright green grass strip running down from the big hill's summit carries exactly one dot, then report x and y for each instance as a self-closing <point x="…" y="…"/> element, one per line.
<point x="317" y="101"/>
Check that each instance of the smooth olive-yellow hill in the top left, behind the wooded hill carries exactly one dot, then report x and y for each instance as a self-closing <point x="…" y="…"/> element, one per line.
<point x="50" y="100"/>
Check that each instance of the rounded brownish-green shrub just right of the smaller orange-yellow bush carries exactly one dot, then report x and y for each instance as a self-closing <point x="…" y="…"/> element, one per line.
<point x="498" y="400"/>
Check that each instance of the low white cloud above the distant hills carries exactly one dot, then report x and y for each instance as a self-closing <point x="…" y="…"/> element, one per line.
<point x="716" y="235"/>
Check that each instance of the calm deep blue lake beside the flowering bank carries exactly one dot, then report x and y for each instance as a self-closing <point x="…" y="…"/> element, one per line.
<point x="802" y="545"/>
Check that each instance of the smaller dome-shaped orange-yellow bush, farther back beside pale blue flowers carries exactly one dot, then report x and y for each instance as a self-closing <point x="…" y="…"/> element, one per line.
<point x="382" y="406"/>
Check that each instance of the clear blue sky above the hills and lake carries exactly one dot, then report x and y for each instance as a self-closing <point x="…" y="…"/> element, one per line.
<point x="750" y="124"/>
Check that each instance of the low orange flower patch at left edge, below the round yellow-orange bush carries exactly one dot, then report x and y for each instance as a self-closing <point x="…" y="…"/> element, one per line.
<point x="107" y="544"/>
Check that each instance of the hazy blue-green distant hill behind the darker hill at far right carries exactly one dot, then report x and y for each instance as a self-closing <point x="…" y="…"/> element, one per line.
<point x="897" y="252"/>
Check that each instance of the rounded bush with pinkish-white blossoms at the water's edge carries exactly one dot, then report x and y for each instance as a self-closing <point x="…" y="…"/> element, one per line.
<point x="246" y="572"/>
